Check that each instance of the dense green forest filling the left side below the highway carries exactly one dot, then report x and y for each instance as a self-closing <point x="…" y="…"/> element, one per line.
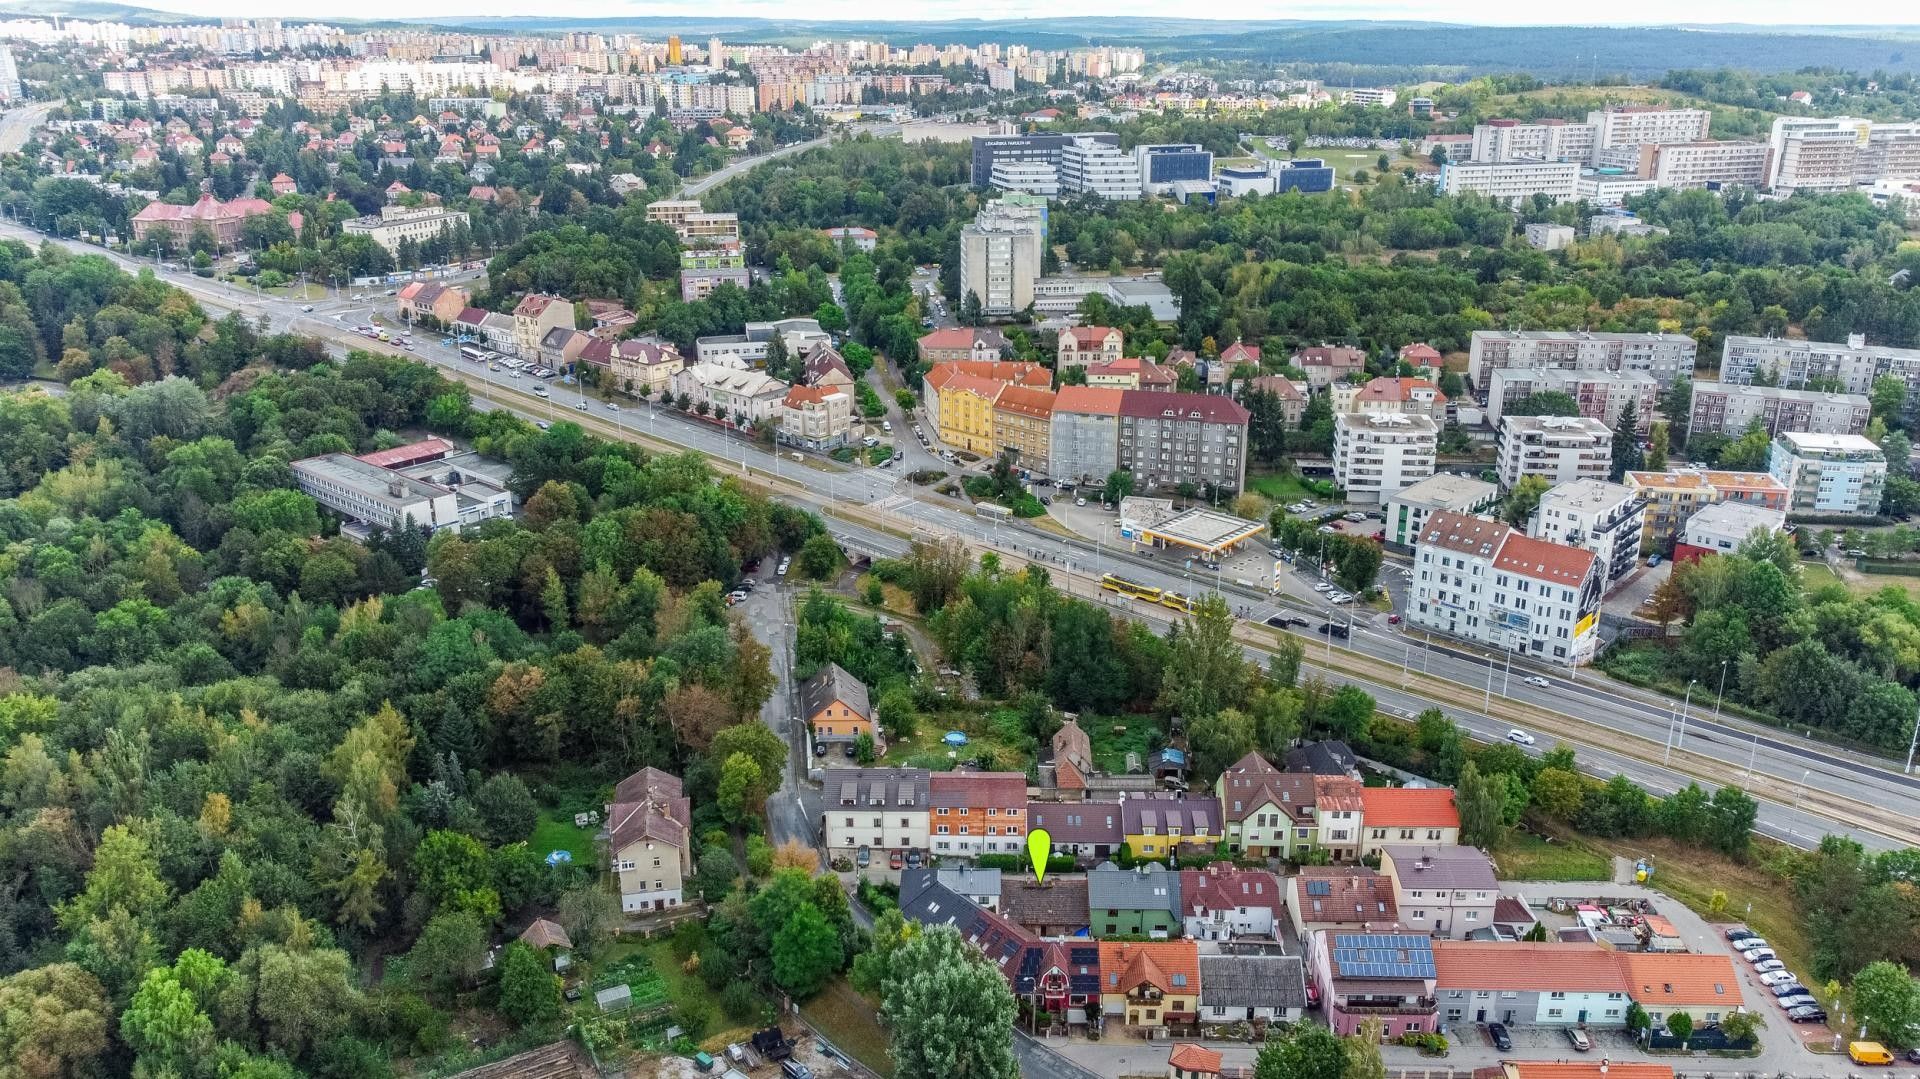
<point x="268" y="798"/>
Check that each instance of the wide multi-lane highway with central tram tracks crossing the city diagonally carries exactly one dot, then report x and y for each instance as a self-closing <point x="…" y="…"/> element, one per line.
<point x="1806" y="790"/>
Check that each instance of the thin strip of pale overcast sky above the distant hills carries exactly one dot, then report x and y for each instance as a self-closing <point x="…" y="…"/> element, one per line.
<point x="1489" y="12"/>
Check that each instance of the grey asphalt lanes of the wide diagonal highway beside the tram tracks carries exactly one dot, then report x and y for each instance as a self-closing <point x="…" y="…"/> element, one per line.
<point x="882" y="496"/>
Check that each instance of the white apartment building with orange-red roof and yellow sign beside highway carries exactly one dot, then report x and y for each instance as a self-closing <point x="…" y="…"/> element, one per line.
<point x="1485" y="583"/>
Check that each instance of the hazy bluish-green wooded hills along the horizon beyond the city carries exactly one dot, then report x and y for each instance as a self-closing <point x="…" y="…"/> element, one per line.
<point x="1550" y="53"/>
